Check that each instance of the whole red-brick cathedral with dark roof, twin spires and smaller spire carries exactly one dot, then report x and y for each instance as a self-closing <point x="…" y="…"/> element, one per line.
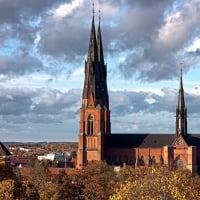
<point x="178" y="150"/>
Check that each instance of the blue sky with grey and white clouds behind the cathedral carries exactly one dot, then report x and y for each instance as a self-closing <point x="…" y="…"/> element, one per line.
<point x="43" y="46"/>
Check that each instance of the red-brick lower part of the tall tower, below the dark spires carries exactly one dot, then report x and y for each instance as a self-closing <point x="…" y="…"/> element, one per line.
<point x="94" y="123"/>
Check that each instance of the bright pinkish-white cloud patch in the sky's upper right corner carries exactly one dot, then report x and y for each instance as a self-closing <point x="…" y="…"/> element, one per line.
<point x="178" y="27"/>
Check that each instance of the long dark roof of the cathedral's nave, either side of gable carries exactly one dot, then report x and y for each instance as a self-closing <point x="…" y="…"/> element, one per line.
<point x="147" y="140"/>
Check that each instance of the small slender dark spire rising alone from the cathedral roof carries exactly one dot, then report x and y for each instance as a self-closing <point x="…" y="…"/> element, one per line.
<point x="181" y="112"/>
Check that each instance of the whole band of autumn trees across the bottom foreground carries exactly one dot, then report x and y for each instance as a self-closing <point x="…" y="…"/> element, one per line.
<point x="99" y="181"/>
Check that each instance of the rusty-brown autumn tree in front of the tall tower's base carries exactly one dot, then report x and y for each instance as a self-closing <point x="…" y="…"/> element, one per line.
<point x="93" y="182"/>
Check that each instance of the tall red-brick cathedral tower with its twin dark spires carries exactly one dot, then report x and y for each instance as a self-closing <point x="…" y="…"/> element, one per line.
<point x="94" y="121"/>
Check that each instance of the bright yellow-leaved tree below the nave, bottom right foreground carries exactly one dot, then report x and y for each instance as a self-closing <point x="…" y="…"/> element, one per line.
<point x="159" y="183"/>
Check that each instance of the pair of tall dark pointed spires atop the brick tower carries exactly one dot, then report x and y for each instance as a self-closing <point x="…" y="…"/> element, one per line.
<point x="95" y="82"/>
